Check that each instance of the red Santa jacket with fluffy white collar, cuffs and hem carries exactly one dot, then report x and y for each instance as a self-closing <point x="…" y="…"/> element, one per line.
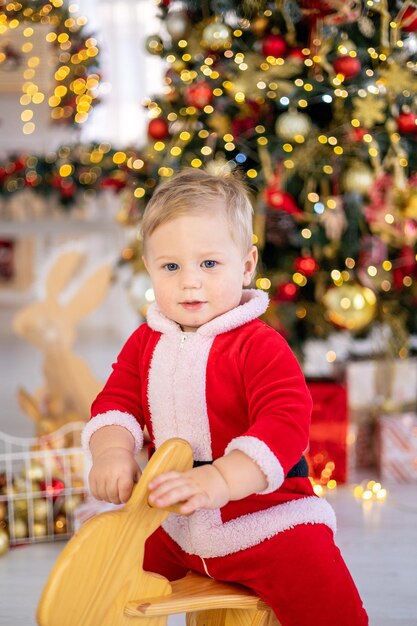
<point x="233" y="384"/>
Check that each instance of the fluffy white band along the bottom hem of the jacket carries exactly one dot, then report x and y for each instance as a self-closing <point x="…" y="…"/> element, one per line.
<point x="204" y="534"/>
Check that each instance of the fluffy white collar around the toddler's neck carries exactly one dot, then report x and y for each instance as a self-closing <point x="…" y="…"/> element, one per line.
<point x="254" y="302"/>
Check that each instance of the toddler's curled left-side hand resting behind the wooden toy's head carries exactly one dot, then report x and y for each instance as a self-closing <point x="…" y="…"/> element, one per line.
<point x="113" y="475"/>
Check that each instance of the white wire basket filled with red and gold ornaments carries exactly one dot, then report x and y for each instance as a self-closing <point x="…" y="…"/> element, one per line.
<point x="42" y="483"/>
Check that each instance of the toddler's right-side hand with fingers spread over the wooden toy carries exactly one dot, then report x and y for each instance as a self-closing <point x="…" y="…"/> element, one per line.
<point x="199" y="488"/>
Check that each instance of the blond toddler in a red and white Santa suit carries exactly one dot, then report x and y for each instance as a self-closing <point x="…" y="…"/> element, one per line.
<point x="204" y="368"/>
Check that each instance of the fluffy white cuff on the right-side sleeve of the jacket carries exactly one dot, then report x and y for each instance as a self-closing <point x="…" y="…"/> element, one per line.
<point x="263" y="456"/>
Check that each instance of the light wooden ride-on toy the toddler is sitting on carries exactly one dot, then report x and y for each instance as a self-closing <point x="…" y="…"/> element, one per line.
<point x="98" y="578"/>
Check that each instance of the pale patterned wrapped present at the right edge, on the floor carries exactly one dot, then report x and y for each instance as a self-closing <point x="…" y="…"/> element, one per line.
<point x="398" y="448"/>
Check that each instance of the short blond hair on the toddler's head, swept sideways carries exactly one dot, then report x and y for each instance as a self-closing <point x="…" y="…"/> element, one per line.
<point x="194" y="191"/>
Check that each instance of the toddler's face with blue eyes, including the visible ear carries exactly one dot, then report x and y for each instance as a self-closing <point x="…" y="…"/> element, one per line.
<point x="196" y="268"/>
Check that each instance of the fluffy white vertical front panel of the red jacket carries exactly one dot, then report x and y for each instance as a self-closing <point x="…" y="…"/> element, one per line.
<point x="176" y="391"/>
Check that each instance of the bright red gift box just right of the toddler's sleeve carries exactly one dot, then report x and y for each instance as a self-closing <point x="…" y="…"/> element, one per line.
<point x="327" y="453"/>
